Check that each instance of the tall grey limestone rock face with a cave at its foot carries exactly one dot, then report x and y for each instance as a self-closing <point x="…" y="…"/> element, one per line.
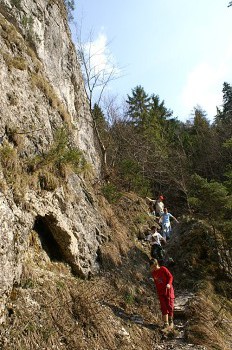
<point x="41" y="91"/>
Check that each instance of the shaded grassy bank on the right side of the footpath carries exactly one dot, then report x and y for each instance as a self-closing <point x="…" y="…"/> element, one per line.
<point x="203" y="269"/>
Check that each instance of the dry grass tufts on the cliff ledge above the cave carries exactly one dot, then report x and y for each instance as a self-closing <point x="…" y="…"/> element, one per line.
<point x="41" y="172"/>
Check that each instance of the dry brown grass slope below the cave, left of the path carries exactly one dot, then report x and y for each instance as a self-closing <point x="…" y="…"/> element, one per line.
<point x="53" y="309"/>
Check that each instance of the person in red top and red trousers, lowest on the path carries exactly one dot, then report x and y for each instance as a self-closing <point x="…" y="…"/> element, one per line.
<point x="163" y="281"/>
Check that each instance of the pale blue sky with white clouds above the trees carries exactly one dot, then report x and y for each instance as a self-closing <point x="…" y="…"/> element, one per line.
<point x="178" y="49"/>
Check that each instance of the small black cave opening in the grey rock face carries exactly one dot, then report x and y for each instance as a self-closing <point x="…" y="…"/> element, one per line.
<point x="48" y="242"/>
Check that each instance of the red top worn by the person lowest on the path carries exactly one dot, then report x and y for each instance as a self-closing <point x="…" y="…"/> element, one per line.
<point x="162" y="277"/>
